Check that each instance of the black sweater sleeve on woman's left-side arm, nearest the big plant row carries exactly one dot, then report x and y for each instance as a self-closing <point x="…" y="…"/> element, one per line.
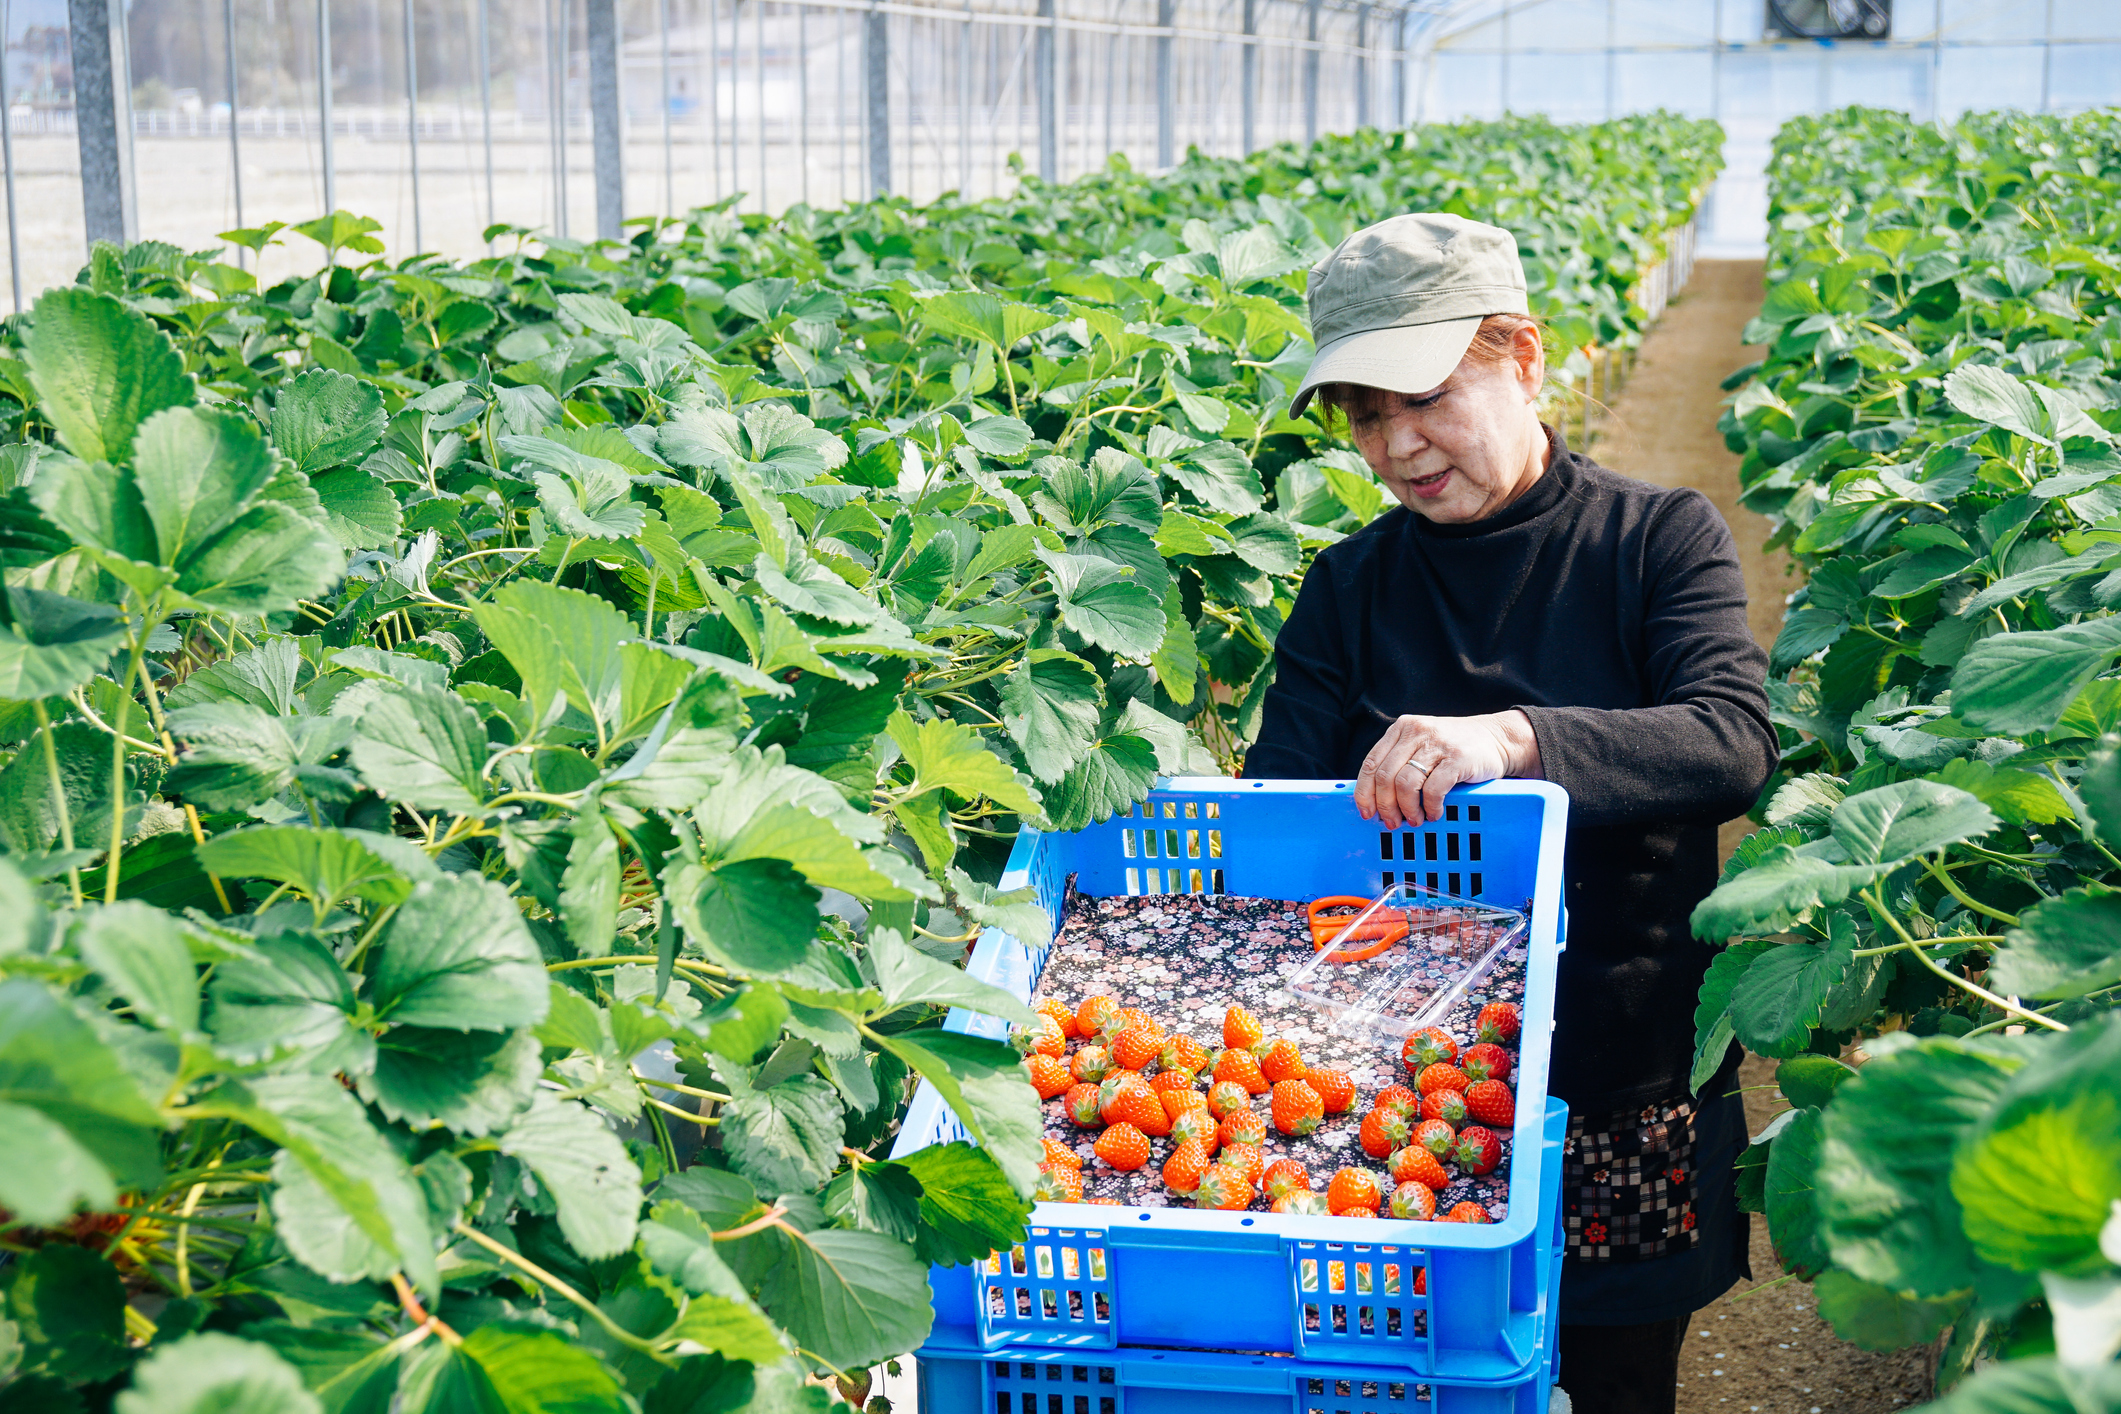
<point x="1303" y="722"/>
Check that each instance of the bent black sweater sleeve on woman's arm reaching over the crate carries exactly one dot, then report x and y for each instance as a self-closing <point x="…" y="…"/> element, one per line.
<point x="1704" y="747"/>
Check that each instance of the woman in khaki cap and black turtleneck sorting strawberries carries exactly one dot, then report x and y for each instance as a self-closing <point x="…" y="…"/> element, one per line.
<point x="1530" y="614"/>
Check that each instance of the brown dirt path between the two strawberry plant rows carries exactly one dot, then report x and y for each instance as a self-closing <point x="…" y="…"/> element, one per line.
<point x="1768" y="1354"/>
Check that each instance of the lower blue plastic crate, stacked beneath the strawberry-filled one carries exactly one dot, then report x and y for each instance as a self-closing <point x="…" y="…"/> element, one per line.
<point x="1045" y="1381"/>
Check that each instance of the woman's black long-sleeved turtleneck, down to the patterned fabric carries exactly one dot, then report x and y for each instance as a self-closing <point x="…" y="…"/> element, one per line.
<point x="1615" y="616"/>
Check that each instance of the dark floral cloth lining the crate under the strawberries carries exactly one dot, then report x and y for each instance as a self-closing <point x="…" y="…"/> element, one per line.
<point x="1187" y="959"/>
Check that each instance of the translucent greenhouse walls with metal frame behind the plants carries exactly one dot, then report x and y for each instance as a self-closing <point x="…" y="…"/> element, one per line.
<point x="444" y="118"/>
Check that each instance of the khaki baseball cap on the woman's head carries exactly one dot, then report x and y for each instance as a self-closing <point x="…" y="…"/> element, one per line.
<point x="1397" y="304"/>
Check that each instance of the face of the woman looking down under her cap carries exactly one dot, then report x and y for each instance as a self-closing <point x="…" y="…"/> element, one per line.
<point x="1465" y="450"/>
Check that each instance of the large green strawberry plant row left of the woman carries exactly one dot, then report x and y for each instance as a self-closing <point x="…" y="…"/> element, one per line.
<point x="504" y="760"/>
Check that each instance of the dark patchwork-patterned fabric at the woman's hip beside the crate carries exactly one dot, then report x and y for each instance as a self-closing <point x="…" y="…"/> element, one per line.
<point x="1630" y="1184"/>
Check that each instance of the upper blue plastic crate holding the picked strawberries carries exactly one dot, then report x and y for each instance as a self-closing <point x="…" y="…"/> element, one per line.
<point x="1098" y="1277"/>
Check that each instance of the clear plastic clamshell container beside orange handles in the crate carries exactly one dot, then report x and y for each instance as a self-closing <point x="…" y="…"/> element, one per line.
<point x="1403" y="961"/>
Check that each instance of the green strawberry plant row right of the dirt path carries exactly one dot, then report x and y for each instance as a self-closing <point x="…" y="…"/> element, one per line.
<point x="1935" y="434"/>
